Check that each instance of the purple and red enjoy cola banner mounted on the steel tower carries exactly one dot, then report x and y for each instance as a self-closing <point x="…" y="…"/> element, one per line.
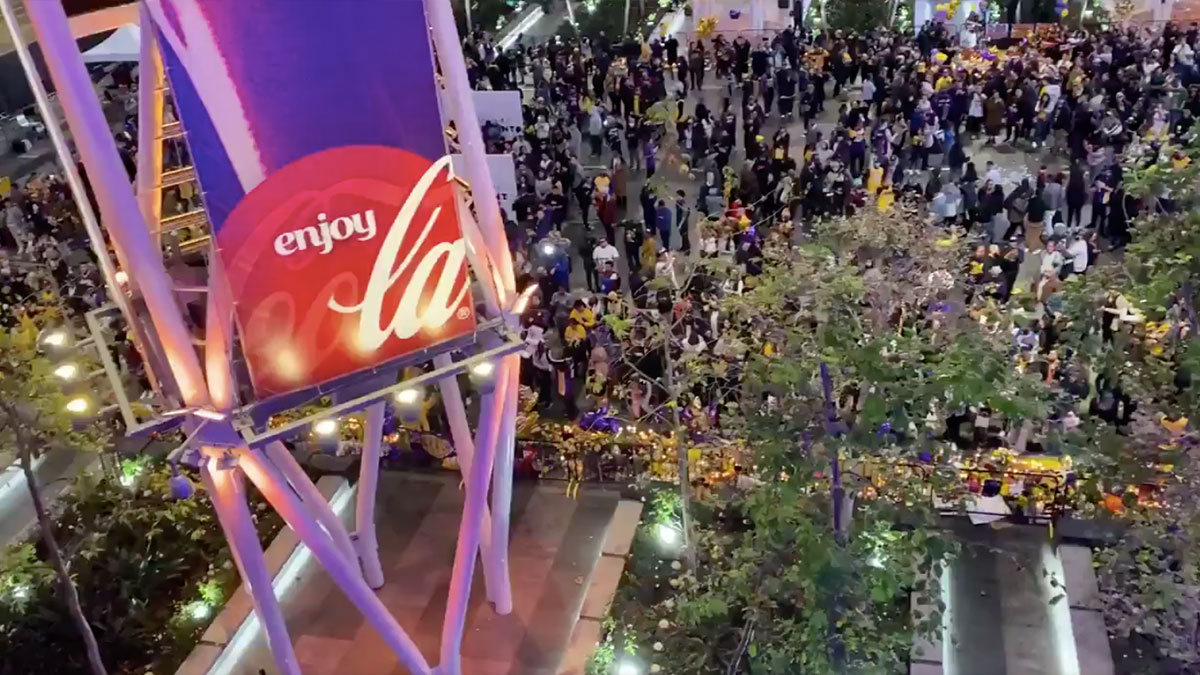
<point x="316" y="134"/>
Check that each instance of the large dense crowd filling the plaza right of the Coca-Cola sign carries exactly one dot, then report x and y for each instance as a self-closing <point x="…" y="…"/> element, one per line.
<point x="701" y="130"/>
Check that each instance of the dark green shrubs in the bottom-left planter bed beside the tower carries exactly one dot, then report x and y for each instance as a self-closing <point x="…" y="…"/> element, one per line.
<point x="139" y="560"/>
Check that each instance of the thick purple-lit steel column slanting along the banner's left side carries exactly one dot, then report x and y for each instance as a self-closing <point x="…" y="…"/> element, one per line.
<point x="111" y="184"/>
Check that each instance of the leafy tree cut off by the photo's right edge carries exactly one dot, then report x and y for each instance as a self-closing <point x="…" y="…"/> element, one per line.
<point x="1142" y="468"/>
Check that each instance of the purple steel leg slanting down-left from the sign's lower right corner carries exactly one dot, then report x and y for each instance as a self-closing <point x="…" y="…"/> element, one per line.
<point x="476" y="501"/>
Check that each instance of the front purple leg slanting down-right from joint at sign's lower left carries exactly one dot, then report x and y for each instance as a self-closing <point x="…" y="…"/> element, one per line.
<point x="272" y="485"/>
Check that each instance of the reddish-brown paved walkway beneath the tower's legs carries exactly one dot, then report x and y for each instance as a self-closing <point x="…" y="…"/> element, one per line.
<point x="555" y="547"/>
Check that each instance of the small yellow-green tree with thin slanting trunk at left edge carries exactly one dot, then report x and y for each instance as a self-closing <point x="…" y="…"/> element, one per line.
<point x="34" y="419"/>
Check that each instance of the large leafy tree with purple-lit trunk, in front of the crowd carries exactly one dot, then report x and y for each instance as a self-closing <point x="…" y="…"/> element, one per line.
<point x="843" y="360"/>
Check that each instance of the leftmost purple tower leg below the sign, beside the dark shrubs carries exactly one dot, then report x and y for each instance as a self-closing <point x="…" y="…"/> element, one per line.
<point x="229" y="498"/>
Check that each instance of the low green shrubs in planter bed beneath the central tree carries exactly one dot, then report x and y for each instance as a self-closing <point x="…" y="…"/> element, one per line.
<point x="771" y="569"/>
